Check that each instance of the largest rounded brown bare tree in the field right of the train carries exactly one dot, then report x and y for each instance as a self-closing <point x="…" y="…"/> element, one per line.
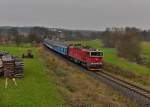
<point x="128" y="45"/>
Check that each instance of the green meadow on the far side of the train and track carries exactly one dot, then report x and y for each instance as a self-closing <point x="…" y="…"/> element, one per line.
<point x="110" y="55"/>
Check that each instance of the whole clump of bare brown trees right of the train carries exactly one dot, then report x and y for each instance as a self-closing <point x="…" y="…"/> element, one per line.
<point x="127" y="42"/>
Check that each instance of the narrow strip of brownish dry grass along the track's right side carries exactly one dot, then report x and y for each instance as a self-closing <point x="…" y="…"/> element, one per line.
<point x="141" y="80"/>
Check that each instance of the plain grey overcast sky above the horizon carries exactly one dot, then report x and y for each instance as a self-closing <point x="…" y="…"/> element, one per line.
<point x="76" y="14"/>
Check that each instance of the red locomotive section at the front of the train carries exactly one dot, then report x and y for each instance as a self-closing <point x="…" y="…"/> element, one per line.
<point x="90" y="58"/>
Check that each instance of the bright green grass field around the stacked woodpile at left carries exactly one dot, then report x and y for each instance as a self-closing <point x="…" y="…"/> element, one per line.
<point x="36" y="89"/>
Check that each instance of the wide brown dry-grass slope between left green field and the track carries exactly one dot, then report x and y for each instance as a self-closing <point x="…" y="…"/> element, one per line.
<point x="79" y="89"/>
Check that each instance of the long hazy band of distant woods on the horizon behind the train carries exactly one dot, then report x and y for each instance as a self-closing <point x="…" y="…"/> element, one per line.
<point x="37" y="34"/>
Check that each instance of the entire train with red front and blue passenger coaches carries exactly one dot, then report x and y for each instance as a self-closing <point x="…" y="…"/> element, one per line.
<point x="90" y="58"/>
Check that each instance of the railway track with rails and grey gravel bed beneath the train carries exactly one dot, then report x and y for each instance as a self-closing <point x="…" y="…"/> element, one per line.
<point x="140" y="95"/>
